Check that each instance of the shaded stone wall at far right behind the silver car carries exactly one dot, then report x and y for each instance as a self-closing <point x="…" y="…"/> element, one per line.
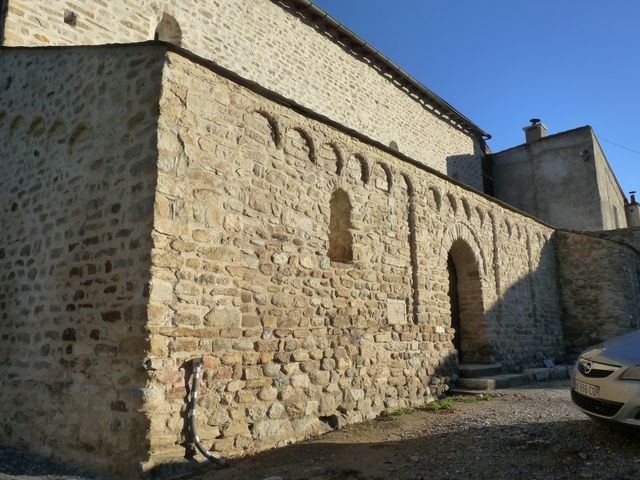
<point x="600" y="289"/>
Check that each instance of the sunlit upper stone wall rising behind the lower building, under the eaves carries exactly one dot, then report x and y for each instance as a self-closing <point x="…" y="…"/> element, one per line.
<point x="260" y="40"/>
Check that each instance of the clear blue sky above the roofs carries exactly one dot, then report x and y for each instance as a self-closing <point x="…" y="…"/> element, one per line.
<point x="502" y="62"/>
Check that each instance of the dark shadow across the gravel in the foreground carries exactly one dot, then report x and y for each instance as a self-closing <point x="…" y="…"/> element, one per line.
<point x="558" y="450"/>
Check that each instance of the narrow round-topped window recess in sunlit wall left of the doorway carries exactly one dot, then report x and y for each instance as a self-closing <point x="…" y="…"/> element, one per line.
<point x="340" y="237"/>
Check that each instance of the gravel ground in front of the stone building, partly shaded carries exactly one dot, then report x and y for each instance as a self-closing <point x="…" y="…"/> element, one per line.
<point x="531" y="433"/>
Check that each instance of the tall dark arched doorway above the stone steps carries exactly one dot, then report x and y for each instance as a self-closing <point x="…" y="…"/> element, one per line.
<point x="467" y="306"/>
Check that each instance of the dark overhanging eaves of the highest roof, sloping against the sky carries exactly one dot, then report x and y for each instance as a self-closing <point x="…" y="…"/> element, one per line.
<point x="355" y="45"/>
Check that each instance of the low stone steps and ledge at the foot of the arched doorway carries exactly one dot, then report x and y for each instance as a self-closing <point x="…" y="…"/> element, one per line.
<point x="492" y="382"/>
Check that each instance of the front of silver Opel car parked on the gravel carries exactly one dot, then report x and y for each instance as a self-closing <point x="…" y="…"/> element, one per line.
<point x="605" y="382"/>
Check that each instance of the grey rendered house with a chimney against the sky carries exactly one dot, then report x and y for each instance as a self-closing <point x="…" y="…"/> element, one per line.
<point x="564" y="179"/>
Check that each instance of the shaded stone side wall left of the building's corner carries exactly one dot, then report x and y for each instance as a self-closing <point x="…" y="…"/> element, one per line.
<point x="77" y="143"/>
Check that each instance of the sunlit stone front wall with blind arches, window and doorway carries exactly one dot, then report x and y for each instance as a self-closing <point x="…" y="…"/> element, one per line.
<point x="292" y="341"/>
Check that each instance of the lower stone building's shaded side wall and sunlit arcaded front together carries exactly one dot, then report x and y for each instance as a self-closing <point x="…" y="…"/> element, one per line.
<point x="155" y="211"/>
